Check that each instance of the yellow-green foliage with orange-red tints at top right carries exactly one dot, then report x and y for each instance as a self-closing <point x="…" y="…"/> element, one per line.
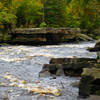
<point x="83" y="14"/>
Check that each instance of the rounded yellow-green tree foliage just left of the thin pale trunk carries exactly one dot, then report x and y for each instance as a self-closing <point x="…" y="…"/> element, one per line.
<point x="29" y="13"/>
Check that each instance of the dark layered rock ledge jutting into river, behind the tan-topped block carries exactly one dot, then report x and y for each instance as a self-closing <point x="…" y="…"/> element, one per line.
<point x="68" y="66"/>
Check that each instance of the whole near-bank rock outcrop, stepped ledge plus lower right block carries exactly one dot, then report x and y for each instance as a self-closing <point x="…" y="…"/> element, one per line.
<point x="87" y="68"/>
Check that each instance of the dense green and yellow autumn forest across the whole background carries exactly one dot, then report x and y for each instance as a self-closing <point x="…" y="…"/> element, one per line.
<point x="83" y="14"/>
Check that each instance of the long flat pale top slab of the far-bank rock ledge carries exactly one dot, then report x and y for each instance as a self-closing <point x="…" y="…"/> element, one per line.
<point x="47" y="30"/>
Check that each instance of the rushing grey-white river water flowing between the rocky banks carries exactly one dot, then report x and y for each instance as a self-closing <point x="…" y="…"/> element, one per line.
<point x="26" y="62"/>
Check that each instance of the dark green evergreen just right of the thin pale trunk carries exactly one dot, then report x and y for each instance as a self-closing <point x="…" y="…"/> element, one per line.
<point x="55" y="13"/>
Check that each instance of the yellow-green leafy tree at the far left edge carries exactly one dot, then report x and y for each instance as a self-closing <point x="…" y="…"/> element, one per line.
<point x="7" y="20"/>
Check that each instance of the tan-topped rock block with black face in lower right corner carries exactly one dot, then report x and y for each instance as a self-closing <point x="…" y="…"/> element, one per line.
<point x="90" y="82"/>
